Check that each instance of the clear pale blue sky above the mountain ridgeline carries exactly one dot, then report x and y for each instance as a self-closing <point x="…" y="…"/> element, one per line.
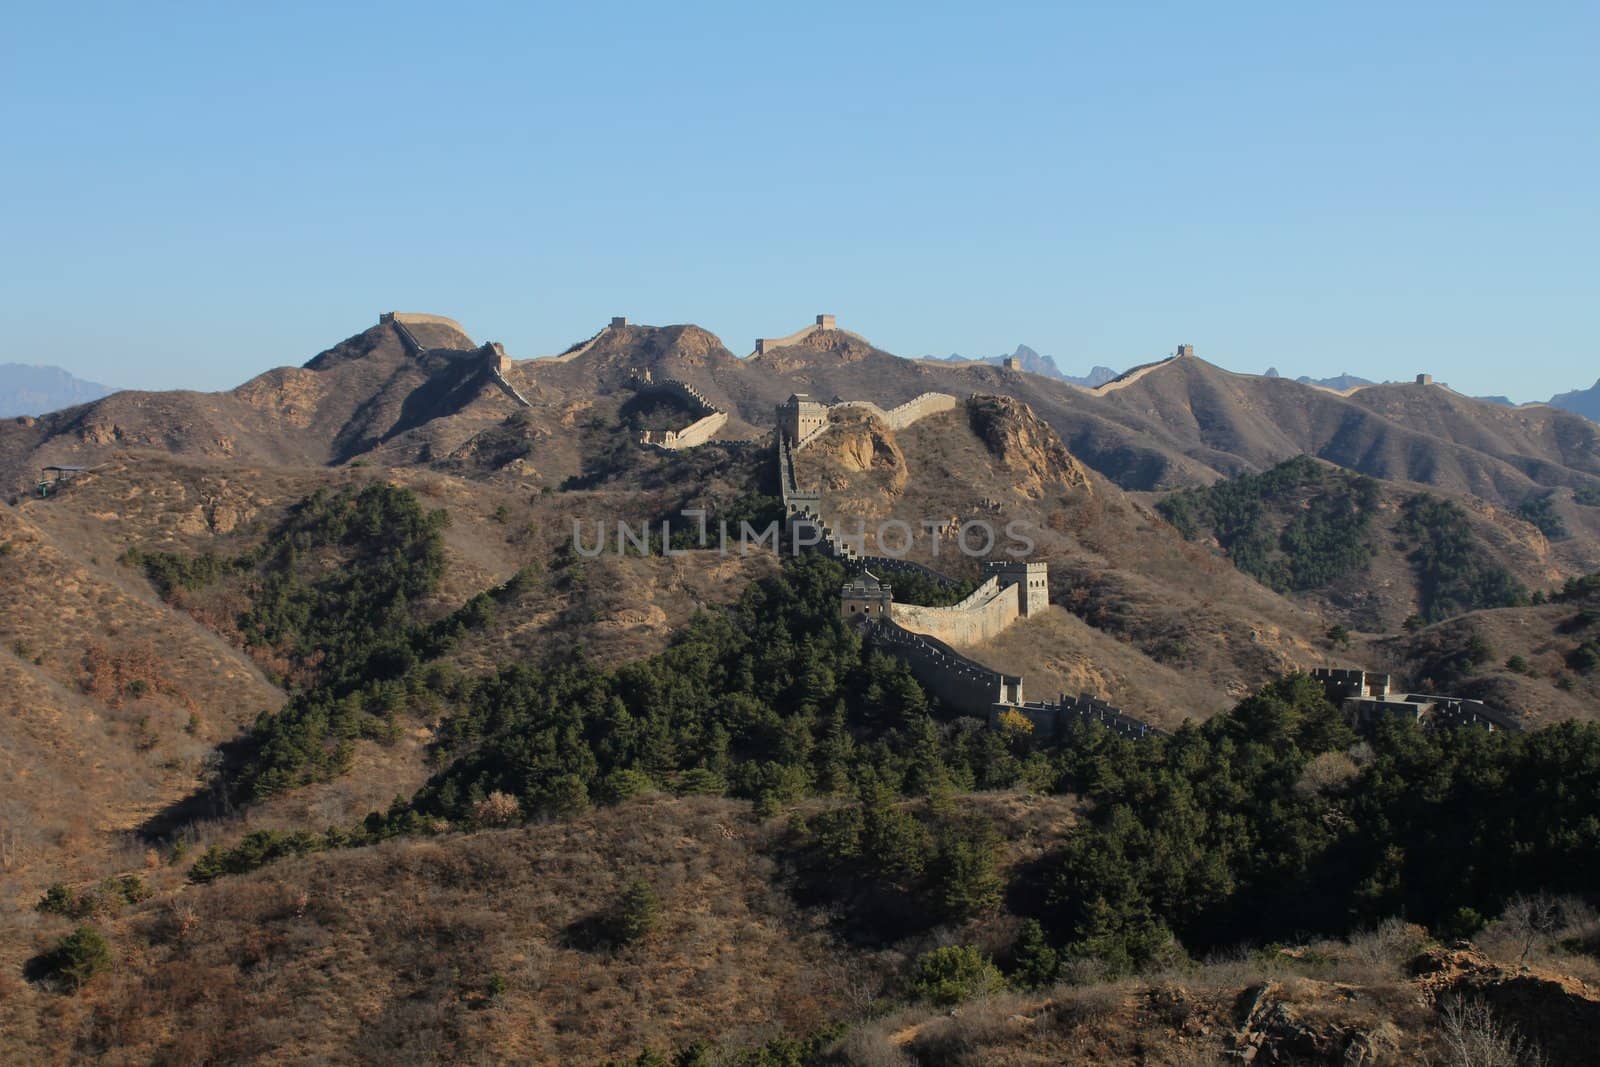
<point x="194" y="194"/>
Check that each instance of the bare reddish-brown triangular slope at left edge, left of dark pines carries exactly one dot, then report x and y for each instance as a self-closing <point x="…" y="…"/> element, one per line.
<point x="110" y="703"/>
